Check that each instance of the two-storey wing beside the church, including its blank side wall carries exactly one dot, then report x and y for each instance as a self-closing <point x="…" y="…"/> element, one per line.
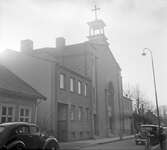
<point x="68" y="109"/>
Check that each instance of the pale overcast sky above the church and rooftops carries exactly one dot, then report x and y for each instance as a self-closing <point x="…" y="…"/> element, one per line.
<point x="131" y="26"/>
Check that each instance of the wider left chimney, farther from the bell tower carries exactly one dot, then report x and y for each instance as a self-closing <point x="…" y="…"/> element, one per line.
<point x="26" y="45"/>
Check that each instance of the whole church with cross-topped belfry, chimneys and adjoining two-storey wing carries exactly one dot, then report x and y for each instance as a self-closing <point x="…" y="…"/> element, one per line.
<point x="82" y="83"/>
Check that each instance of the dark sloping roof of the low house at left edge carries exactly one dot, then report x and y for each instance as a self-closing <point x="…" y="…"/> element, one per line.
<point x="11" y="83"/>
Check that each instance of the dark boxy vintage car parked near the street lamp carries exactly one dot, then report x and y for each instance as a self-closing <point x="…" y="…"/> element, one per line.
<point x="145" y="131"/>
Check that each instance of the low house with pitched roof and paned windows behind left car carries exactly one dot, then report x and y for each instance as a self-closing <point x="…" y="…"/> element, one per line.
<point x="18" y="100"/>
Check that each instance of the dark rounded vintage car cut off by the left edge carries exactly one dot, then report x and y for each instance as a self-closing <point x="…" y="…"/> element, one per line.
<point x="25" y="136"/>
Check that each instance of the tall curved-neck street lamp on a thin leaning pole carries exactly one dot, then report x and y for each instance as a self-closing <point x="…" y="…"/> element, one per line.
<point x="145" y="50"/>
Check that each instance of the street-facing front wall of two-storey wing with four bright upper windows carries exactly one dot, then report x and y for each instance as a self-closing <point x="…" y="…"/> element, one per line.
<point x="74" y="105"/>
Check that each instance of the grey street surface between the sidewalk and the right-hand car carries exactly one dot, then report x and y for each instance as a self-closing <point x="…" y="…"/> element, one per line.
<point x="121" y="145"/>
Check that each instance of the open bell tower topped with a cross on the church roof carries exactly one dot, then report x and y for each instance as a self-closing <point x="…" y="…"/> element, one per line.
<point x="96" y="29"/>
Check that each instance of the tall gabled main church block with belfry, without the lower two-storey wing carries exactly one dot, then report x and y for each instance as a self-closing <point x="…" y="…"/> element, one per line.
<point x="94" y="59"/>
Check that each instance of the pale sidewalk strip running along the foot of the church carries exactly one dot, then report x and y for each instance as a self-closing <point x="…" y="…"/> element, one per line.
<point x="85" y="143"/>
